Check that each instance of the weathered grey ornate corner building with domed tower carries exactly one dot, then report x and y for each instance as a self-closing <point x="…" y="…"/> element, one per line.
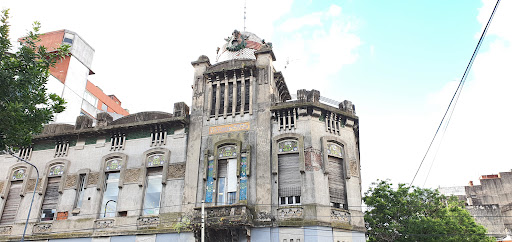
<point x="268" y="167"/>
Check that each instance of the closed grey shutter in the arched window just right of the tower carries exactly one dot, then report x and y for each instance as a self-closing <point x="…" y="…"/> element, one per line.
<point x="289" y="176"/>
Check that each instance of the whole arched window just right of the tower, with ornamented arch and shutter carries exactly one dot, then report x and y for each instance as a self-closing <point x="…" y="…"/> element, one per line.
<point x="289" y="176"/>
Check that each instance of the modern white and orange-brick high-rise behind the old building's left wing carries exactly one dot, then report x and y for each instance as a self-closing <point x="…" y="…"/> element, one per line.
<point x="69" y="79"/>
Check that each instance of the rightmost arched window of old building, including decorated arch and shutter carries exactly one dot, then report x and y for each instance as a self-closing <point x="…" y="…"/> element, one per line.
<point x="336" y="175"/>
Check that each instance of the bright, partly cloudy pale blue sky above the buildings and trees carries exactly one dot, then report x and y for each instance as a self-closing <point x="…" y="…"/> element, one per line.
<point x="398" y="61"/>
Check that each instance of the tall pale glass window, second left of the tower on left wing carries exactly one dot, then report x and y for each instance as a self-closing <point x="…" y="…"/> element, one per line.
<point x="111" y="191"/>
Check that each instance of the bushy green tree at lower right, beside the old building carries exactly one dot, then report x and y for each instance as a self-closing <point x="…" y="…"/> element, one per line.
<point x="417" y="214"/>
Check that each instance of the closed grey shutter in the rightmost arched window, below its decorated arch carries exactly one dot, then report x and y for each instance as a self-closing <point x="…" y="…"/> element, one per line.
<point x="336" y="181"/>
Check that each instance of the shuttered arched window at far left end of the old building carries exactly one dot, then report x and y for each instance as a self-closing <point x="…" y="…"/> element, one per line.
<point x="17" y="176"/>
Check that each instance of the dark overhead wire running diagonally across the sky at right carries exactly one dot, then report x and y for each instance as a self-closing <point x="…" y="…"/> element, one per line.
<point x="459" y="88"/>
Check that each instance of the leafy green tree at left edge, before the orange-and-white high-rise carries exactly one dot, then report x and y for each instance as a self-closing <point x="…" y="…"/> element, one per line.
<point x="25" y="104"/>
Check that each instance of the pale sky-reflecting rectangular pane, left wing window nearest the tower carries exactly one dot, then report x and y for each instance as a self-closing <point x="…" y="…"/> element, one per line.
<point x="153" y="193"/>
